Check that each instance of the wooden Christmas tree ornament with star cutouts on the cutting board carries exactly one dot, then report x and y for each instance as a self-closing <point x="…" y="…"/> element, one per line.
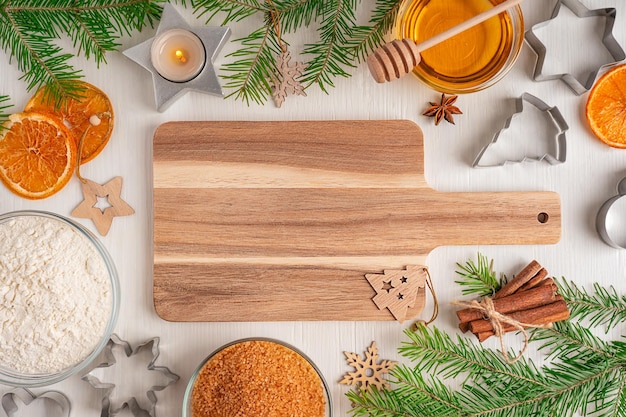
<point x="402" y="292"/>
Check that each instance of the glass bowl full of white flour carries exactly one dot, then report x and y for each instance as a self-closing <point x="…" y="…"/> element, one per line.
<point x="59" y="298"/>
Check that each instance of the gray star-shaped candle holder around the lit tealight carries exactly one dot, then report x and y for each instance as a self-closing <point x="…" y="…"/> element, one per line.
<point x="166" y="91"/>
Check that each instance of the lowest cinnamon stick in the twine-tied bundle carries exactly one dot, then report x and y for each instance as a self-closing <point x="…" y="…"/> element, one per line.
<point x="550" y="313"/>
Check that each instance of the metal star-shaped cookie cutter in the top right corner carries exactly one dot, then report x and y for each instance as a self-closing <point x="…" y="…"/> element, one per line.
<point x="610" y="43"/>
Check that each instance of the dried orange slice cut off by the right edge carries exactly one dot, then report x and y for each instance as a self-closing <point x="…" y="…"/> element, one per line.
<point x="606" y="108"/>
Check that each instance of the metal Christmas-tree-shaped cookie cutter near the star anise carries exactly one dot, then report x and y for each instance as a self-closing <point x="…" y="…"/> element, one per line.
<point x="555" y="119"/>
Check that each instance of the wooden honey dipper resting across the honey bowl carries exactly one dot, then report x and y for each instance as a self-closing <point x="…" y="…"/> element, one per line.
<point x="397" y="58"/>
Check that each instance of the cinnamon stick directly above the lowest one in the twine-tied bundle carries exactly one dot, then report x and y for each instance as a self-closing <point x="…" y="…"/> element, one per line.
<point x="519" y="301"/>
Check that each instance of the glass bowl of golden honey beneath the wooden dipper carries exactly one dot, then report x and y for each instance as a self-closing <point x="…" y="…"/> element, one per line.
<point x="470" y="61"/>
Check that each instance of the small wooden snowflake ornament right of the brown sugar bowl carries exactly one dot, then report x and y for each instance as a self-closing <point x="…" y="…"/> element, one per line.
<point x="368" y="371"/>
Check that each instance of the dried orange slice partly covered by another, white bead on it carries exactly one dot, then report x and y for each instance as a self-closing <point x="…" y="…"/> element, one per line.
<point x="91" y="115"/>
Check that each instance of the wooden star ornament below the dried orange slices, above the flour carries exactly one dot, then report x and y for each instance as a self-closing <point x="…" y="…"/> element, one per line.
<point x="102" y="217"/>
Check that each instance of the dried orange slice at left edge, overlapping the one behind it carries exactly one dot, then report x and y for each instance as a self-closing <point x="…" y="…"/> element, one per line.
<point x="37" y="155"/>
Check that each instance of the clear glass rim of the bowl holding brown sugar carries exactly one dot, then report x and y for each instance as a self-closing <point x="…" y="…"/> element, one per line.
<point x="194" y="375"/>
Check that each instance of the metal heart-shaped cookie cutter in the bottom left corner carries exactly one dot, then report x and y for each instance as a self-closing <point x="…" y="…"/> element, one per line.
<point x="58" y="403"/>
